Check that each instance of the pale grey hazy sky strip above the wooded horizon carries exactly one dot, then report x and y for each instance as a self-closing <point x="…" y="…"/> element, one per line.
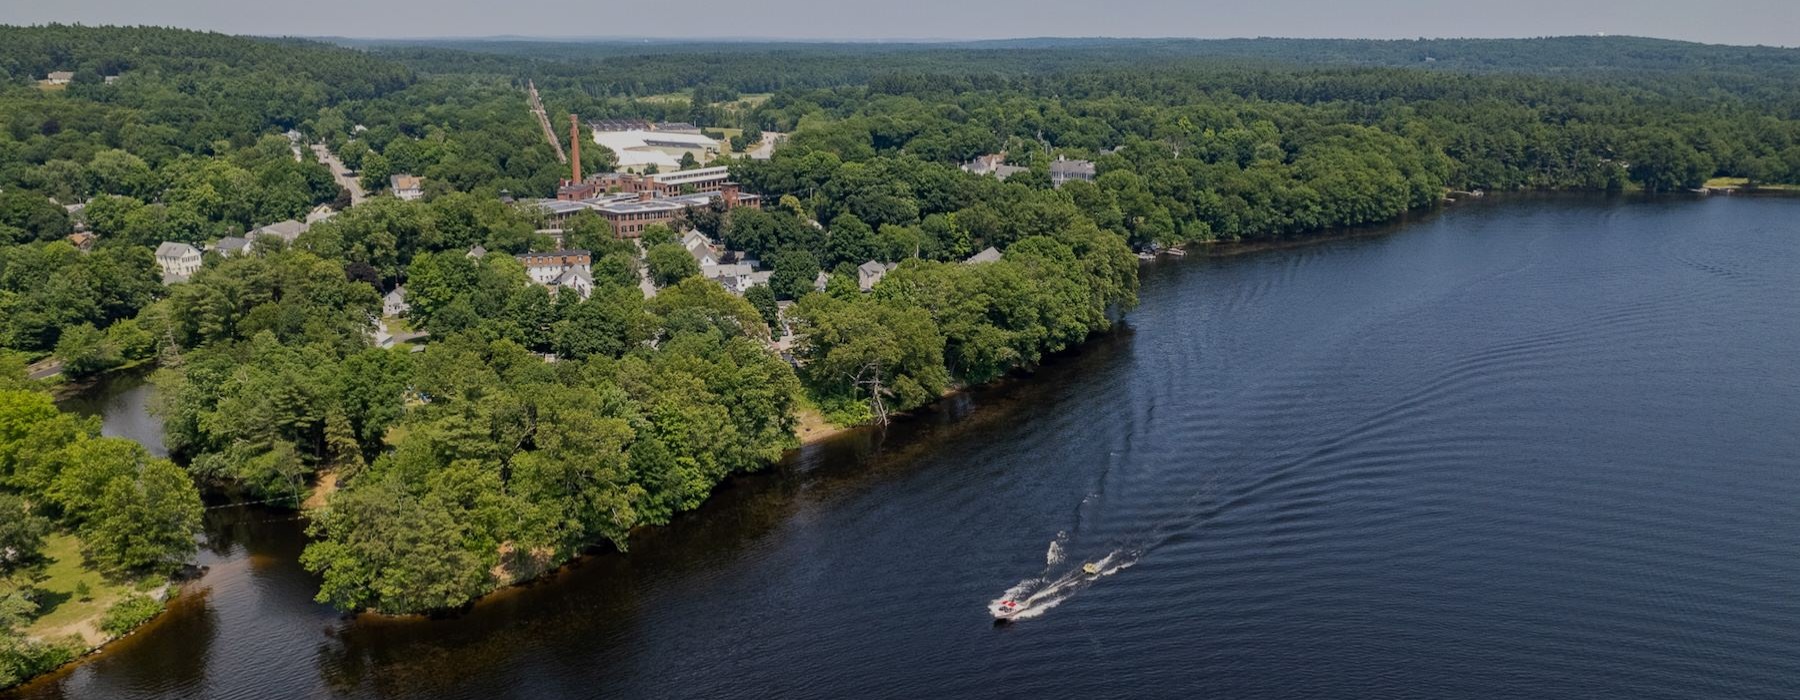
<point x="1776" y="22"/>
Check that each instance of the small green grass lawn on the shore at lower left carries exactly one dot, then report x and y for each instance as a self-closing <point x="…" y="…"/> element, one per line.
<point x="67" y="613"/>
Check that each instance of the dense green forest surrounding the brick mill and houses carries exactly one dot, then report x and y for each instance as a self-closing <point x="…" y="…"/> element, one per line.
<point x="535" y="426"/>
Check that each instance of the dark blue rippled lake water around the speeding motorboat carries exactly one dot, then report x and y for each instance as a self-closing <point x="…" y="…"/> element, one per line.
<point x="1516" y="451"/>
